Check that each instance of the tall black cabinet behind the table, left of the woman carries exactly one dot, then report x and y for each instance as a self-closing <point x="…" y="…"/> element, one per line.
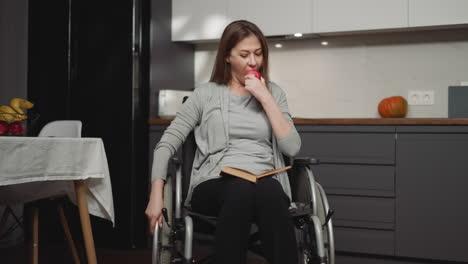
<point x="89" y="60"/>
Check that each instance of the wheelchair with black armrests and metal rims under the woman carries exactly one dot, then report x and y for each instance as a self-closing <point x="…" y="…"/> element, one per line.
<point x="173" y="242"/>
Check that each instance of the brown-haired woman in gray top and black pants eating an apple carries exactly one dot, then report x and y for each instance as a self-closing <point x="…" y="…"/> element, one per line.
<point x="239" y="121"/>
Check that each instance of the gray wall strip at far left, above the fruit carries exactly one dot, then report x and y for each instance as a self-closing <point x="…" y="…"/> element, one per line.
<point x="13" y="49"/>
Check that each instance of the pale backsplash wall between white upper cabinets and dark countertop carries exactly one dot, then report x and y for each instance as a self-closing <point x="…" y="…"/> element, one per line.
<point x="350" y="76"/>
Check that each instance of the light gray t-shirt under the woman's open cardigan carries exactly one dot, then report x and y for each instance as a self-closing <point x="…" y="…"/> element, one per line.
<point x="249" y="146"/>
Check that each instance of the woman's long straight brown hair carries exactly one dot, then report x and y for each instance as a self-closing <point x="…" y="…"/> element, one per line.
<point x="233" y="34"/>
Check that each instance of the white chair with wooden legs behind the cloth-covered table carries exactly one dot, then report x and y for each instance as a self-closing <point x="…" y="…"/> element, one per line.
<point x="60" y="128"/>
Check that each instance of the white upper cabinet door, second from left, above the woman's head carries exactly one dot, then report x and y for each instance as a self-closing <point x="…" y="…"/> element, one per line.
<point x="274" y="17"/>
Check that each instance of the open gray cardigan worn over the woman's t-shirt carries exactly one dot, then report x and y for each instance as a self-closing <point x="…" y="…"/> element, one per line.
<point x="206" y="112"/>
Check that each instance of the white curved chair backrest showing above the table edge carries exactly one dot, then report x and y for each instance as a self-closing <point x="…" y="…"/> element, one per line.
<point x="62" y="128"/>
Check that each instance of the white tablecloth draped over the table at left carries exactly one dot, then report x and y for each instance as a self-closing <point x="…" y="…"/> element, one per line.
<point x="33" y="168"/>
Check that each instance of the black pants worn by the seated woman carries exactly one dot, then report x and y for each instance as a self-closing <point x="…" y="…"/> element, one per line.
<point x="238" y="203"/>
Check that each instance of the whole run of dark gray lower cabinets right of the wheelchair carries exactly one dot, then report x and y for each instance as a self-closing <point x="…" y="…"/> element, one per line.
<point x="400" y="193"/>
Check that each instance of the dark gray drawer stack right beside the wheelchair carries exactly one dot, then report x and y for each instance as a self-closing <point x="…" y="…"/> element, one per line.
<point x="357" y="172"/>
